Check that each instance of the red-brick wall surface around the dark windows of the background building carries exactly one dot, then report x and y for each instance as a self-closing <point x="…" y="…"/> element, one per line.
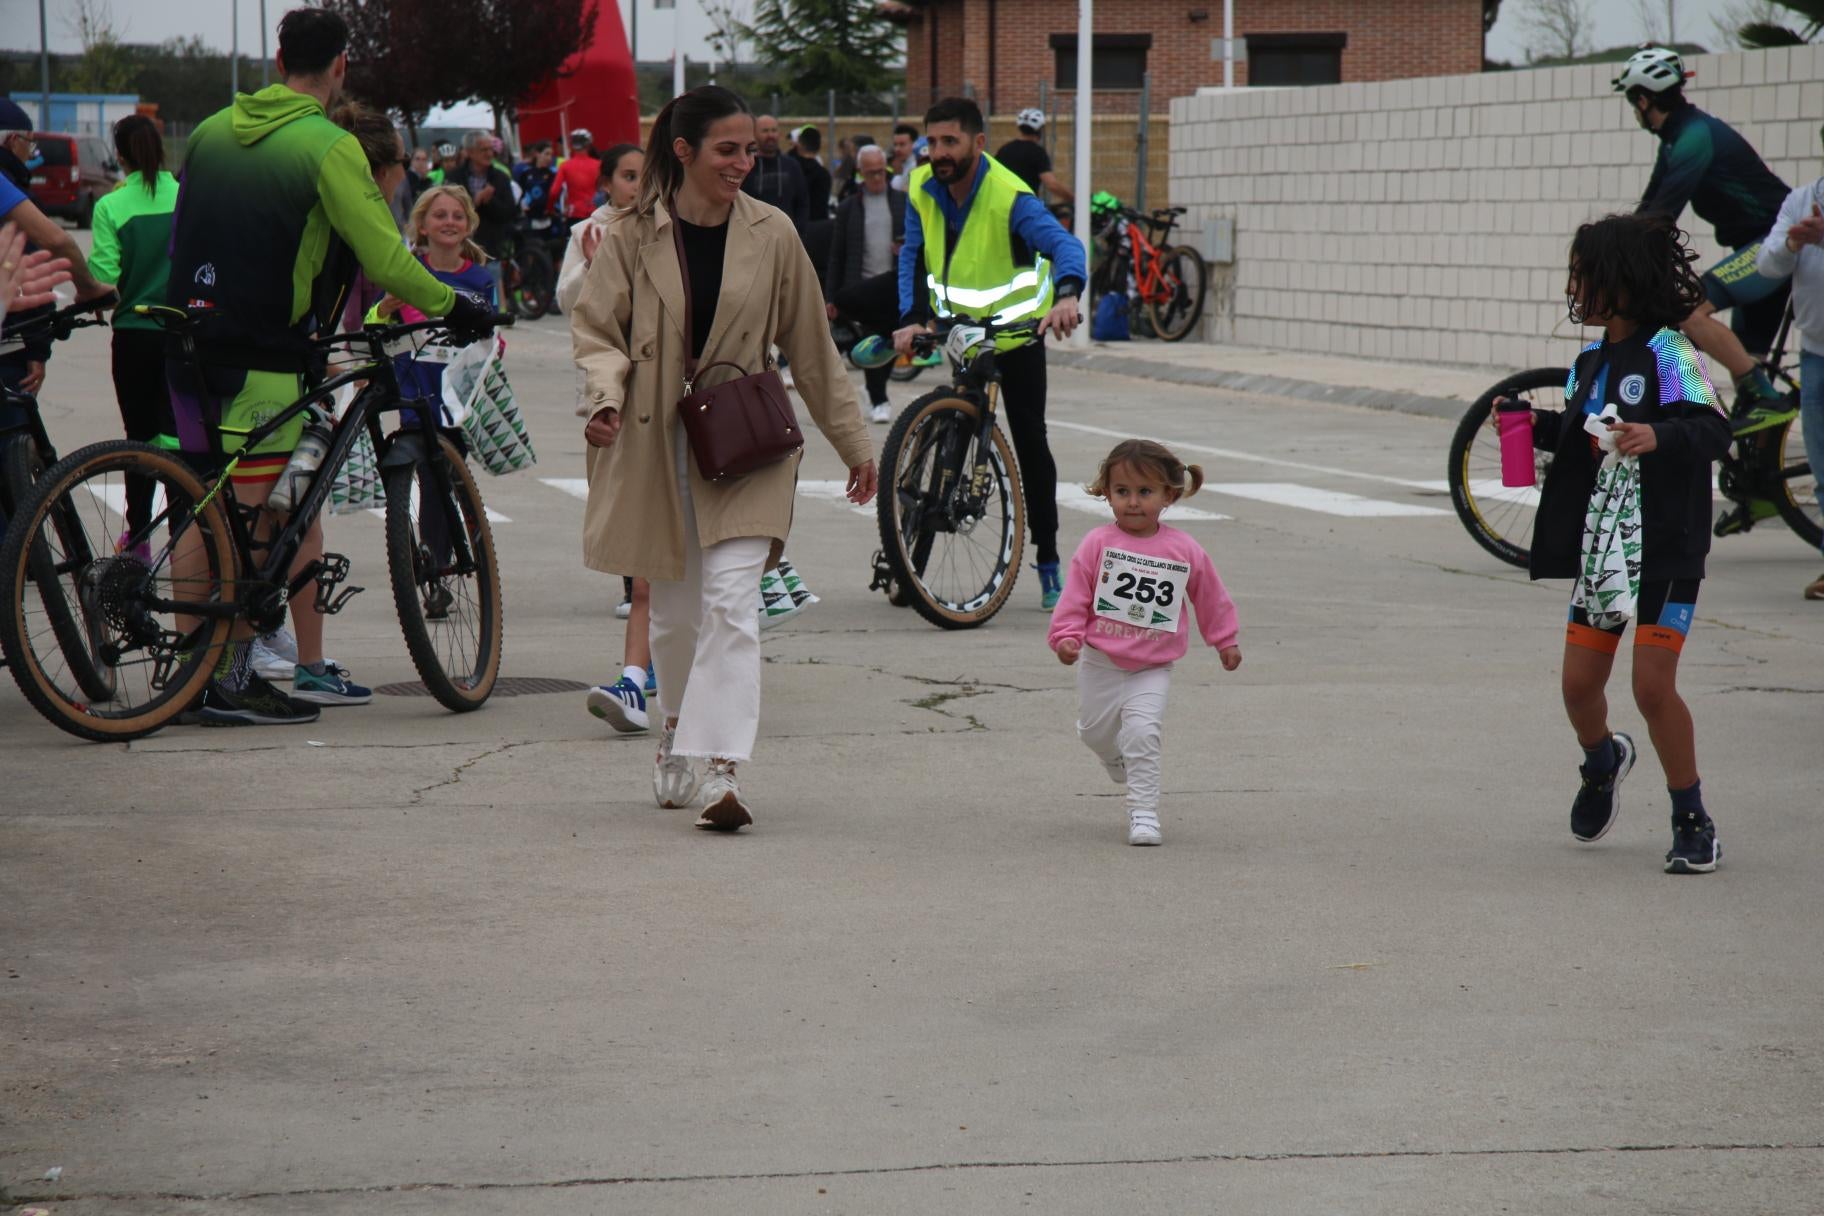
<point x="1002" y="48"/>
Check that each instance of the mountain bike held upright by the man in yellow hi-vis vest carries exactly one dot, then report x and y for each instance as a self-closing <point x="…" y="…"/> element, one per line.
<point x="951" y="515"/>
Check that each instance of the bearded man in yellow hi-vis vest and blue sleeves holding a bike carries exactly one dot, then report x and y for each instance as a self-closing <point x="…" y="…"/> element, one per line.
<point x="980" y="245"/>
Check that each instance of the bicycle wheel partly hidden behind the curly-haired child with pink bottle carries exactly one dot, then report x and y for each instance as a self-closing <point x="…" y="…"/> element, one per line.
<point x="1498" y="517"/>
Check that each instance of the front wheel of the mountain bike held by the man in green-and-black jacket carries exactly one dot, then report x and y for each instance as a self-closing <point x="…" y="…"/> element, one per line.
<point x="450" y="603"/>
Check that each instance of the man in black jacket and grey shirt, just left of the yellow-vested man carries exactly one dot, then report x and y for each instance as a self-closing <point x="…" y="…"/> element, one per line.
<point x="864" y="278"/>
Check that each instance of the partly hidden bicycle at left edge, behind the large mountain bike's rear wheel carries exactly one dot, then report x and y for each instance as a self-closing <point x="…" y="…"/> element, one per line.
<point x="25" y="455"/>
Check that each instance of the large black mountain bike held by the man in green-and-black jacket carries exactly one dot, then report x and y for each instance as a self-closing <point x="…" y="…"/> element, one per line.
<point x="160" y="608"/>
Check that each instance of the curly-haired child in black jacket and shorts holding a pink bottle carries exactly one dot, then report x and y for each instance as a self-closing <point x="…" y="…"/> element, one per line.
<point x="1632" y="274"/>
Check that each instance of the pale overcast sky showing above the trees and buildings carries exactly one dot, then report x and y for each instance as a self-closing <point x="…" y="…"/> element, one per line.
<point x="156" y="21"/>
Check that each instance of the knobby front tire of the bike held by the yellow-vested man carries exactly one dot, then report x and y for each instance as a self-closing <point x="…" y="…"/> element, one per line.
<point x="928" y="422"/>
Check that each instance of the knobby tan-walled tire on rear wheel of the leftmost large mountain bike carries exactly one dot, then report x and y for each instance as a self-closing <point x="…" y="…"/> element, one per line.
<point x="43" y="510"/>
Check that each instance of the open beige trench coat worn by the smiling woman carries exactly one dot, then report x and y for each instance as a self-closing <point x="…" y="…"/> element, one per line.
<point x="630" y="342"/>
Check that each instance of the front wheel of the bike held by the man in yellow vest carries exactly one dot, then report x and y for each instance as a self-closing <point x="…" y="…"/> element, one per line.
<point x="953" y="541"/>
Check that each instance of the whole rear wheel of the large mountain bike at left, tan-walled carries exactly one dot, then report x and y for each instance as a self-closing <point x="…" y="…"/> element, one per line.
<point x="132" y="663"/>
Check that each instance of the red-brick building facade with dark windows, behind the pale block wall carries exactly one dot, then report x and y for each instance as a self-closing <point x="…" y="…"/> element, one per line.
<point x="1002" y="50"/>
